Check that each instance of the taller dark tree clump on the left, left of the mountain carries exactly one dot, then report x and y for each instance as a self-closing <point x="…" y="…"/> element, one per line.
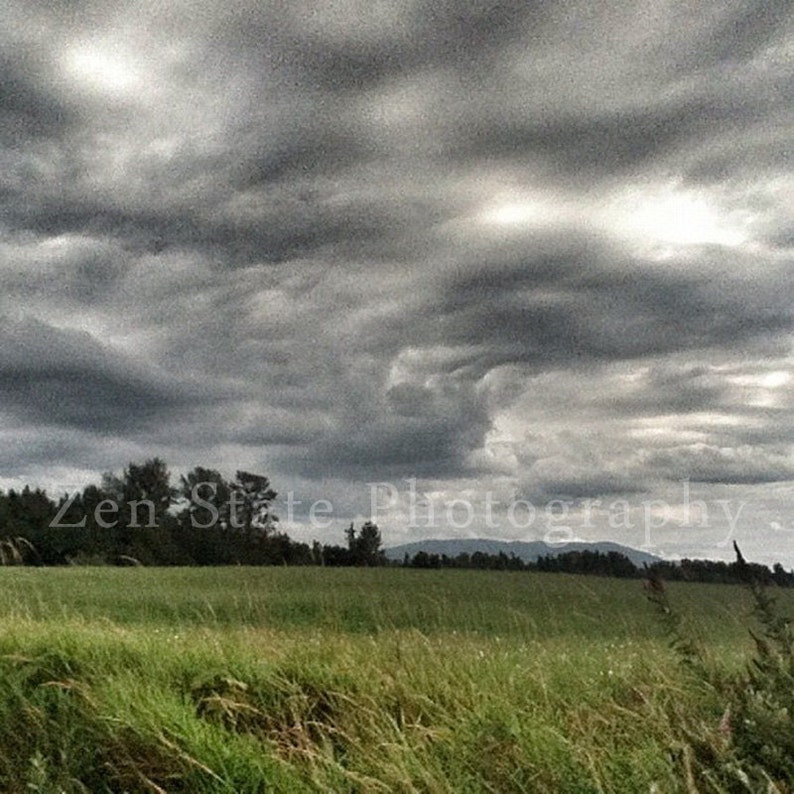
<point x="140" y="518"/>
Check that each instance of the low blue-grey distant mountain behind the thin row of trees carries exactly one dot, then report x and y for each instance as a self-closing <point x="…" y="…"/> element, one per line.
<point x="528" y="551"/>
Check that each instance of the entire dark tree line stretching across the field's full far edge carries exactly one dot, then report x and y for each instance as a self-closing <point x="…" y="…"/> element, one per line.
<point x="140" y="518"/>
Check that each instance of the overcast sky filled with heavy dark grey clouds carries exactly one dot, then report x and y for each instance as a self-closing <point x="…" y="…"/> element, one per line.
<point x="518" y="270"/>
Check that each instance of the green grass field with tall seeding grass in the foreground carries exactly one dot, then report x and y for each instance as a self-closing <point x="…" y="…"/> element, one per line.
<point x="370" y="680"/>
